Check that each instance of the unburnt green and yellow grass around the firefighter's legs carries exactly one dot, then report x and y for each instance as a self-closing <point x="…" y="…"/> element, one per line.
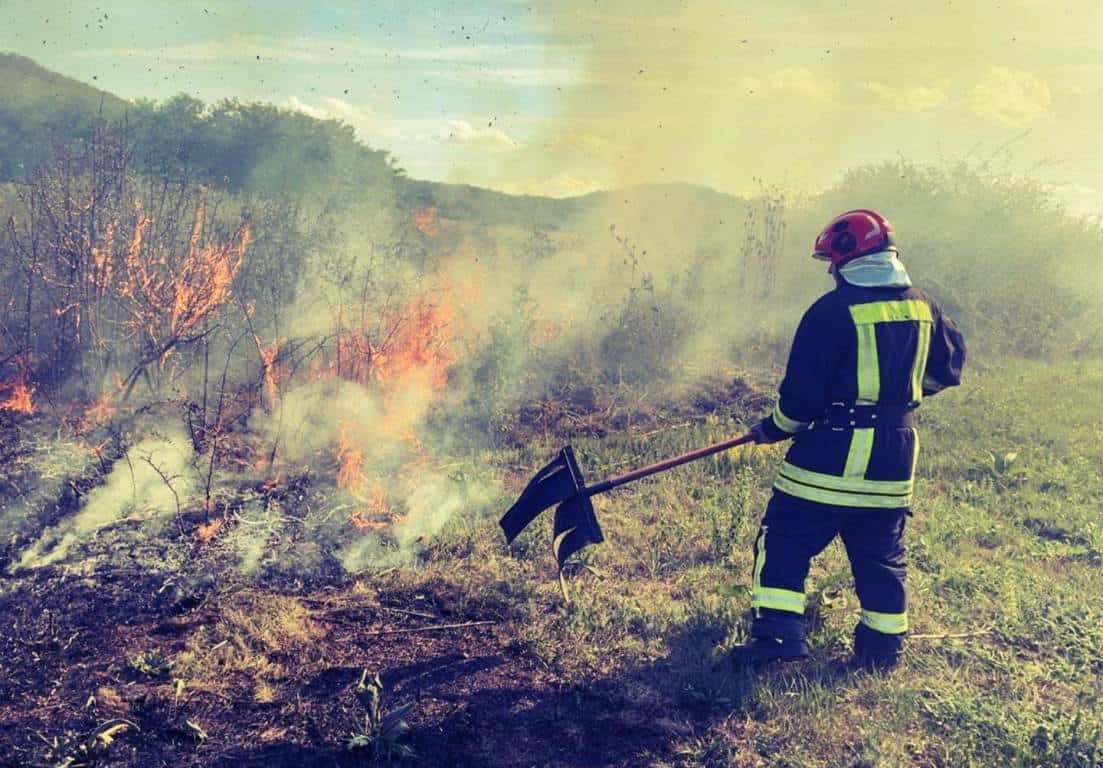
<point x="1011" y="551"/>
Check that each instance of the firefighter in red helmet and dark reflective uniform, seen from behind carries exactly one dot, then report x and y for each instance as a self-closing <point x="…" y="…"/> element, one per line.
<point x="864" y="357"/>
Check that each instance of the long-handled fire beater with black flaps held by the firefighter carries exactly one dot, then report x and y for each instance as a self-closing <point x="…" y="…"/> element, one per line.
<point x="562" y="483"/>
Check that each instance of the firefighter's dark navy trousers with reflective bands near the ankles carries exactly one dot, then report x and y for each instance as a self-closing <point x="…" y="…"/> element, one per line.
<point x="795" y="531"/>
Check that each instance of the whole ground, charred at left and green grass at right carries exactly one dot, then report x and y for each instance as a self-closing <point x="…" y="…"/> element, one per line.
<point x="1006" y="573"/>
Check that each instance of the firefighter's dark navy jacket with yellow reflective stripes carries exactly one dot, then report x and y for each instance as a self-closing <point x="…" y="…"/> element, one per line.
<point x="885" y="347"/>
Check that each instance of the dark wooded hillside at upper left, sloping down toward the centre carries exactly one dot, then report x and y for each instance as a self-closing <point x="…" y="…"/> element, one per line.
<point x="239" y="147"/>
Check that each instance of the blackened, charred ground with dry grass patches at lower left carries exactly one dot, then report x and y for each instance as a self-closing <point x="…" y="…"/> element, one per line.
<point x="477" y="698"/>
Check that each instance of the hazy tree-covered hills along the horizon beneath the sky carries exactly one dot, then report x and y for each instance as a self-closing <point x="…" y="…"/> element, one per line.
<point x="37" y="104"/>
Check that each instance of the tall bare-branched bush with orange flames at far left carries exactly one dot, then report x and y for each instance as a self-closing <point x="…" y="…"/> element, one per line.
<point x="111" y="283"/>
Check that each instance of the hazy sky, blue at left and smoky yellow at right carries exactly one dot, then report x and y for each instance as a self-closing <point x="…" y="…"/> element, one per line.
<point x="567" y="97"/>
